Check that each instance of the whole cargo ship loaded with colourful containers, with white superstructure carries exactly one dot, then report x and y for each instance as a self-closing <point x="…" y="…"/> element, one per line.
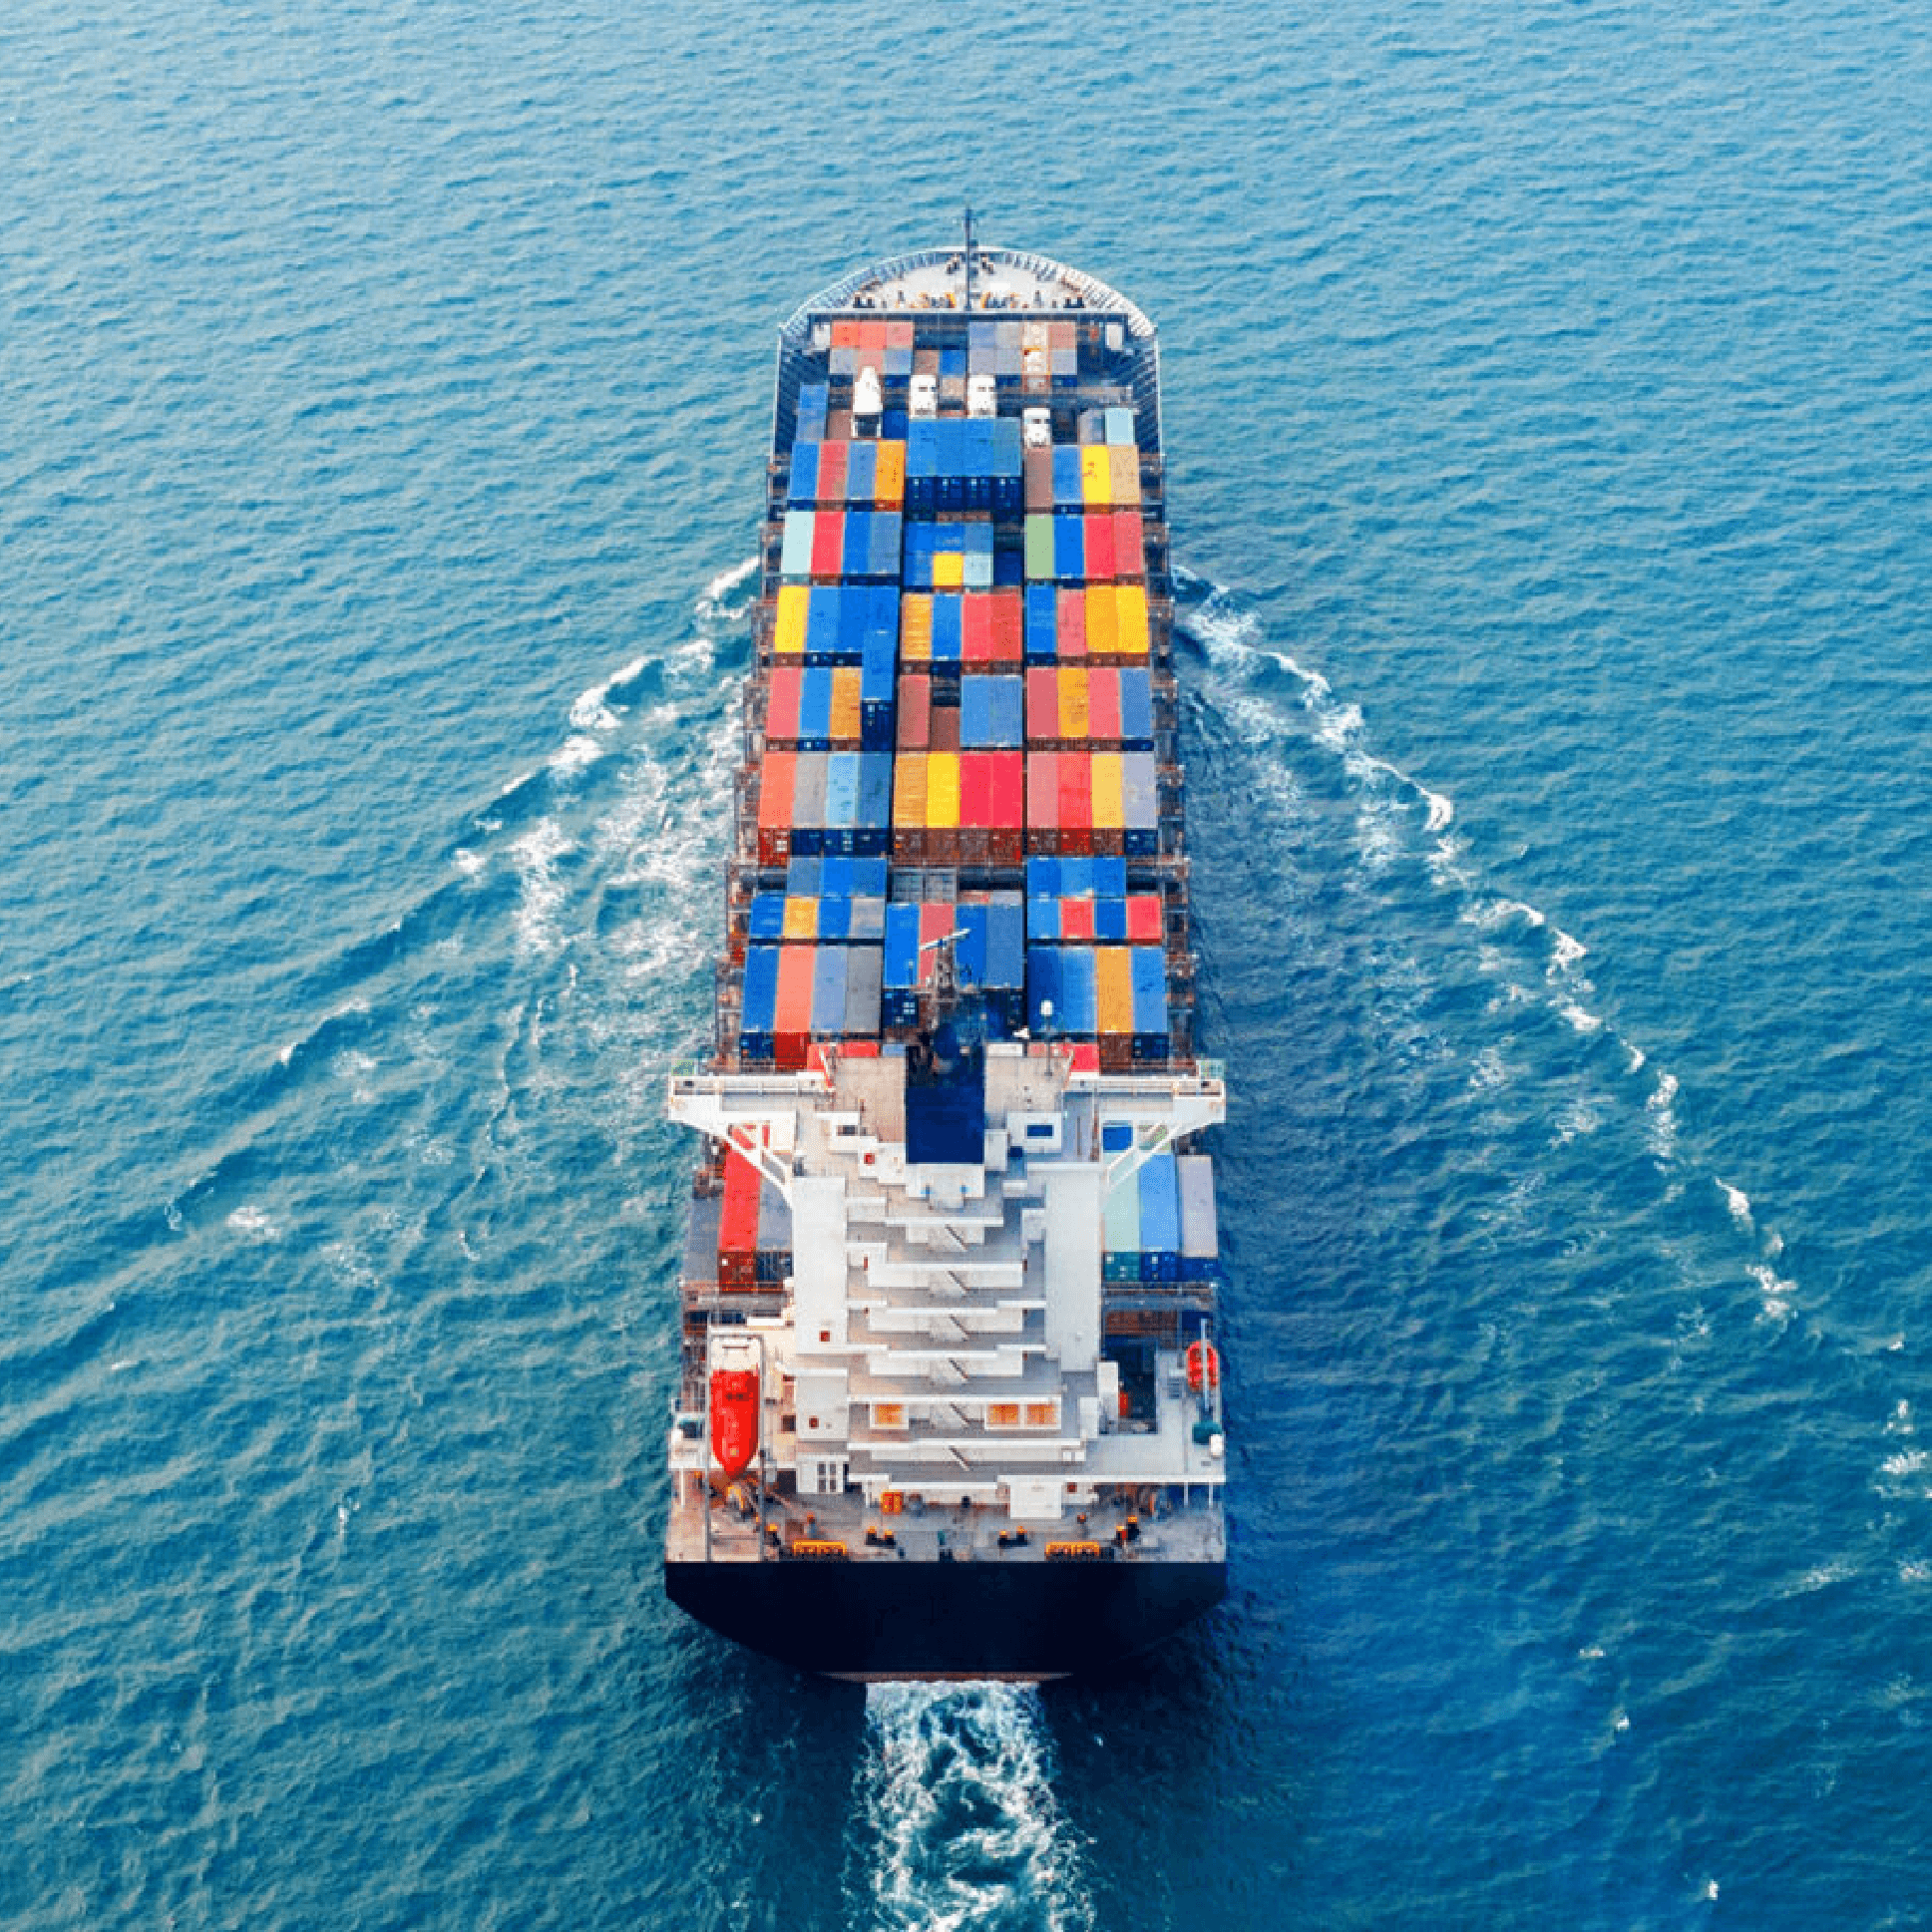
<point x="952" y="1392"/>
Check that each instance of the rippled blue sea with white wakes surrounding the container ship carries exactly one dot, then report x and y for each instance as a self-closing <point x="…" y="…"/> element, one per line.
<point x="384" y="412"/>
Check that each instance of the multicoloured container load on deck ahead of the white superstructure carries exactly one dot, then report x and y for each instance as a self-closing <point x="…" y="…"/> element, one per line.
<point x="963" y="691"/>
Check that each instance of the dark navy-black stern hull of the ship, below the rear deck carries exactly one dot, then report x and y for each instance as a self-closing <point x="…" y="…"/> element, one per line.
<point x="948" y="1620"/>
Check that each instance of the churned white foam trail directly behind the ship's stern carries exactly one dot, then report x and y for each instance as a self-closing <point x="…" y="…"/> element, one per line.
<point x="955" y="1815"/>
